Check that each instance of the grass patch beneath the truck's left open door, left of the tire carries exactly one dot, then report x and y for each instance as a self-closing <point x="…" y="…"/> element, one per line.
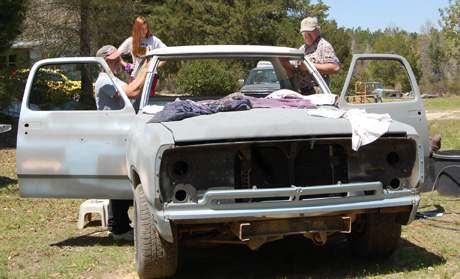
<point x="39" y="238"/>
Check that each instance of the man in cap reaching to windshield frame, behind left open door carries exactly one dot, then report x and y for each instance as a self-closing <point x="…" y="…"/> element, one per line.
<point x="108" y="98"/>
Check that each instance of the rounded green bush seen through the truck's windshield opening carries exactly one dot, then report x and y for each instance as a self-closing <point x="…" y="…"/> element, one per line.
<point x="206" y="77"/>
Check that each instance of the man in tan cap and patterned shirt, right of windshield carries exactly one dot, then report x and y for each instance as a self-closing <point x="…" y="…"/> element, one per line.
<point x="319" y="51"/>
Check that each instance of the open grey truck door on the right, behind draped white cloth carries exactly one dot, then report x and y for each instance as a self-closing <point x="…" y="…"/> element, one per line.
<point x="384" y="83"/>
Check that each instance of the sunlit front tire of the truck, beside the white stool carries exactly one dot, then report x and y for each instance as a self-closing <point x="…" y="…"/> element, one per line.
<point x="155" y="257"/>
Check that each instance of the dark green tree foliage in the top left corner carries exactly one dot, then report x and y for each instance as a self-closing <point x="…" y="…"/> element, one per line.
<point x="12" y="14"/>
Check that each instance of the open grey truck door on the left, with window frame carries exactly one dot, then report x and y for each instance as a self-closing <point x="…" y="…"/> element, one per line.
<point x="66" y="148"/>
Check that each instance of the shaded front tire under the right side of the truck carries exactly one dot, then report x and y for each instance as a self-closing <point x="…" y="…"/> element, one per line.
<point x="374" y="235"/>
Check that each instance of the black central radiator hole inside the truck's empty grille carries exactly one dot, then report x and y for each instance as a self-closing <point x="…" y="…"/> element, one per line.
<point x="283" y="166"/>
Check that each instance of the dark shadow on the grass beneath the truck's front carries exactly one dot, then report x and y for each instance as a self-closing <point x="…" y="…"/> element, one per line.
<point x="298" y="258"/>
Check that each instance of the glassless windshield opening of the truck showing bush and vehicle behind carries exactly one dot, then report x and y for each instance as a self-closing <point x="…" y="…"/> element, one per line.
<point x="199" y="79"/>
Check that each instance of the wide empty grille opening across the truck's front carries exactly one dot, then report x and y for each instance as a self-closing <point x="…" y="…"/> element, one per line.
<point x="187" y="172"/>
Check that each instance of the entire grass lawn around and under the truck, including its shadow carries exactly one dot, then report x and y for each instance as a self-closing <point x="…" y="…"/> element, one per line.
<point x="39" y="238"/>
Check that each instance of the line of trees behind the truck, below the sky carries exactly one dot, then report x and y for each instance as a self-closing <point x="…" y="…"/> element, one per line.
<point x="80" y="27"/>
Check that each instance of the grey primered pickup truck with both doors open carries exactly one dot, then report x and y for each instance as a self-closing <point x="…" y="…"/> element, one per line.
<point x="230" y="168"/>
